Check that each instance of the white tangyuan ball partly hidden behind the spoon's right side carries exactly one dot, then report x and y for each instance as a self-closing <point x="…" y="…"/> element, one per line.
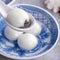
<point x="35" y="29"/>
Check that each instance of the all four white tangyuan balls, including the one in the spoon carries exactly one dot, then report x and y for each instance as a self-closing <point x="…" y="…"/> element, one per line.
<point x="25" y="40"/>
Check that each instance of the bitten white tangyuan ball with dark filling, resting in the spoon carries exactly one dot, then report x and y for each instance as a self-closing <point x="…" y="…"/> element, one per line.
<point x="17" y="17"/>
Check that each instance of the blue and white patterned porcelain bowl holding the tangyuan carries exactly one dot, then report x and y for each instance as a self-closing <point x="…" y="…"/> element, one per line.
<point x="47" y="39"/>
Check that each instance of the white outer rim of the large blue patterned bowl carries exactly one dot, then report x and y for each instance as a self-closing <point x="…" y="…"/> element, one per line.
<point x="9" y="56"/>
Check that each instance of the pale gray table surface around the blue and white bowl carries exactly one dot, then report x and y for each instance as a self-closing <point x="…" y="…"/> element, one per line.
<point x="54" y="54"/>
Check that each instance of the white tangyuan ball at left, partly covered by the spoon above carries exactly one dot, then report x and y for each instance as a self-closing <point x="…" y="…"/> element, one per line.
<point x="11" y="34"/>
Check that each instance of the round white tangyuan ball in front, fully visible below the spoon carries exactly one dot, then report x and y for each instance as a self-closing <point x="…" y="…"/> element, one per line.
<point x="27" y="41"/>
